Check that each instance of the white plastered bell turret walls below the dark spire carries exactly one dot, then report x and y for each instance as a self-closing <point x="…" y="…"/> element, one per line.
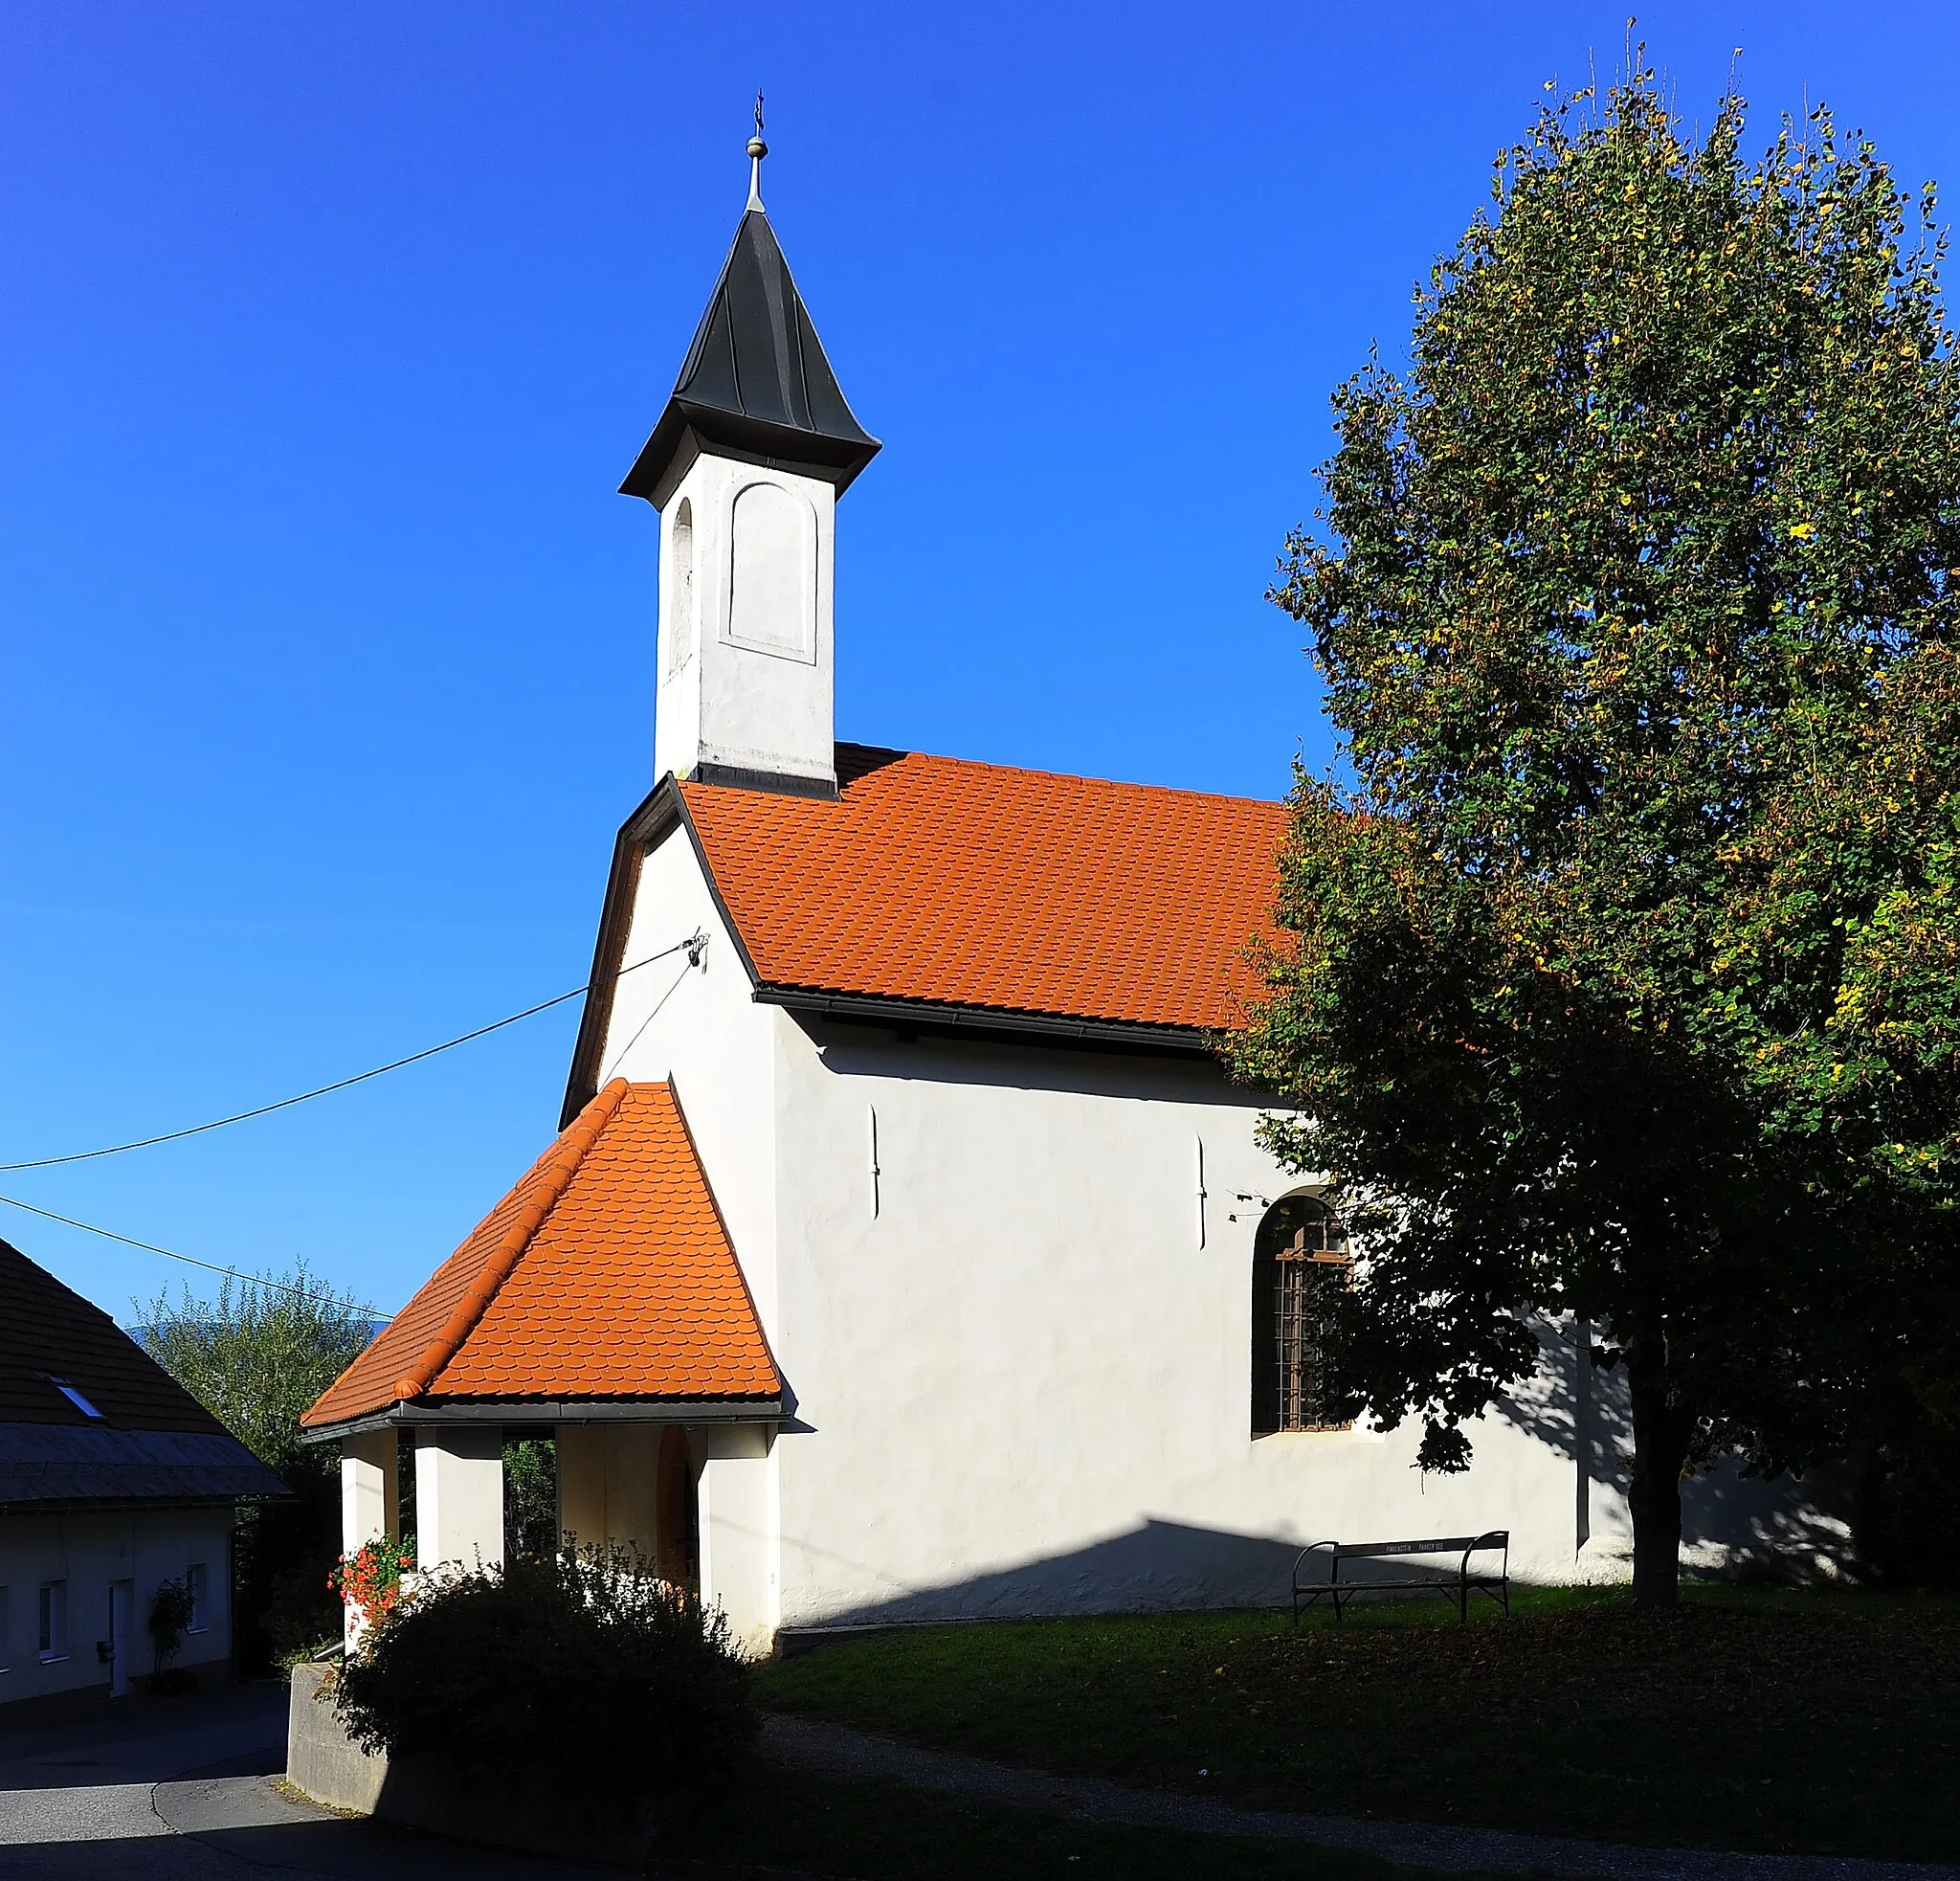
<point x="724" y="701"/>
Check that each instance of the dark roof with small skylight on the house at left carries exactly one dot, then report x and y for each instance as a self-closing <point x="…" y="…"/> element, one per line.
<point x="152" y="1441"/>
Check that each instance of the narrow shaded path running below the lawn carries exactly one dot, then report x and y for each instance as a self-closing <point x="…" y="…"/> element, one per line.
<point x="842" y="1753"/>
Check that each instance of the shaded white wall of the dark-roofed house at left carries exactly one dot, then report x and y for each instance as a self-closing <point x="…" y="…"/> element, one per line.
<point x="89" y="1552"/>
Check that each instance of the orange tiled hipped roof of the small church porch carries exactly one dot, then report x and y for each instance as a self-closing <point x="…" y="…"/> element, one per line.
<point x="605" y="1274"/>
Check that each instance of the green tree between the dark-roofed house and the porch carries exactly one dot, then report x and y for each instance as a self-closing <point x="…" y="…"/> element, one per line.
<point x="256" y="1358"/>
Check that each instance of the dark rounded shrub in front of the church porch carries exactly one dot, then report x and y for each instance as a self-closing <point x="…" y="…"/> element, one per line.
<point x="583" y="1670"/>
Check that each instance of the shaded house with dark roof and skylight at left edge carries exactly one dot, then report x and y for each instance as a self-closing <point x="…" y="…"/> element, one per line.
<point x="113" y="1482"/>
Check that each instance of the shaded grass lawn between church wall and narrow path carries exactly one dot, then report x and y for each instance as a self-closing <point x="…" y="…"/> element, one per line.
<point x="1818" y="1723"/>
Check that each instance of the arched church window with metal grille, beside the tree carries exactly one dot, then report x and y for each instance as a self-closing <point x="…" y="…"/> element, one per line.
<point x="1300" y="1270"/>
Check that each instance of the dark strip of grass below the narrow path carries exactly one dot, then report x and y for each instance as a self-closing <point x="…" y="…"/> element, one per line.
<point x="785" y="1819"/>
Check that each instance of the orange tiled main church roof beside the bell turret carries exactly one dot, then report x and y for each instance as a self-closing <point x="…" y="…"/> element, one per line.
<point x="981" y="886"/>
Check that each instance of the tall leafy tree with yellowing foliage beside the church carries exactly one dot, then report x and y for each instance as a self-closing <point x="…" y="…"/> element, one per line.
<point x="1626" y="978"/>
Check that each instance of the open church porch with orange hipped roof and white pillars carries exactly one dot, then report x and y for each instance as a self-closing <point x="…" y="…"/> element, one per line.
<point x="599" y="1309"/>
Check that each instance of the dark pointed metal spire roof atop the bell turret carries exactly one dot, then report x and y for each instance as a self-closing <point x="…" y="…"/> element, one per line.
<point x="758" y="380"/>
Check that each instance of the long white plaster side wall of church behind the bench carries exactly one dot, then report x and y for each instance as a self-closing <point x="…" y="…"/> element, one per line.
<point x="1024" y="1386"/>
